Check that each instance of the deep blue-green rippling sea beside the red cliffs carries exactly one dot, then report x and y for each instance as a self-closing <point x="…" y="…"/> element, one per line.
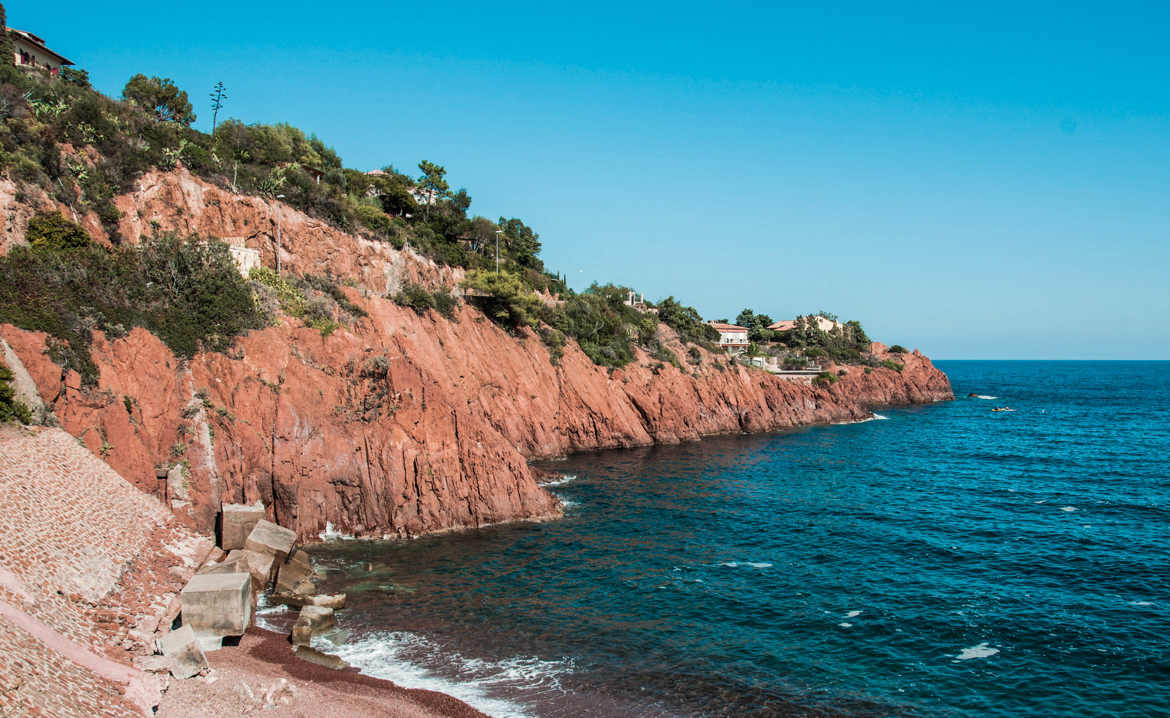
<point x="942" y="561"/>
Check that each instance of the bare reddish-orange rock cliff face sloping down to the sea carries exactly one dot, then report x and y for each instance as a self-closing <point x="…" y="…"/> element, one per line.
<point x="396" y="425"/>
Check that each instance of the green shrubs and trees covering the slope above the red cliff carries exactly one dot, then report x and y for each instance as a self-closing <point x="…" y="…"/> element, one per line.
<point x="64" y="140"/>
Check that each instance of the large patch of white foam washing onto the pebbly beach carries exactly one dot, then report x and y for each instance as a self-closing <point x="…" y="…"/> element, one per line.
<point x="407" y="659"/>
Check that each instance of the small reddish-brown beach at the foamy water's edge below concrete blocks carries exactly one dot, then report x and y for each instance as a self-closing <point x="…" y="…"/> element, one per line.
<point x="263" y="676"/>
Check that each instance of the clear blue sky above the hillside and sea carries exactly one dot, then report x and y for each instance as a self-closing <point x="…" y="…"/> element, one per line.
<point x="980" y="183"/>
